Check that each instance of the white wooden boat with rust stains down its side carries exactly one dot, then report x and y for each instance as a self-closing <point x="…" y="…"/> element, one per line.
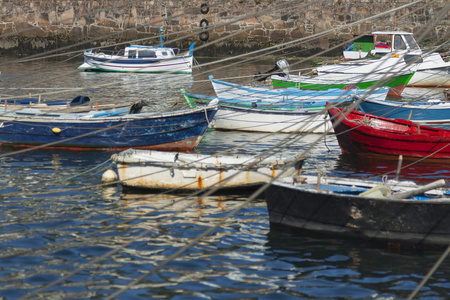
<point x="190" y="171"/>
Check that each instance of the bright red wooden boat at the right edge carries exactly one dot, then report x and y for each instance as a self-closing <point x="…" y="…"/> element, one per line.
<point x="361" y="133"/>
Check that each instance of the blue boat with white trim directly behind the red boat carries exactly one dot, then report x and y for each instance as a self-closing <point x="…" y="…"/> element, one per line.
<point x="429" y="112"/>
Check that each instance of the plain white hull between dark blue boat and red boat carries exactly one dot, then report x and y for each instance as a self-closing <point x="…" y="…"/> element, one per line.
<point x="264" y="120"/>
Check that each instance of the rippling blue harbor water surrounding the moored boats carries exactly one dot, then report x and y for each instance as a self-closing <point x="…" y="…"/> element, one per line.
<point x="63" y="235"/>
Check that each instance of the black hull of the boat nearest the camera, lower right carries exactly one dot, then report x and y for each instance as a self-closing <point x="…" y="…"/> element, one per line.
<point x="408" y="222"/>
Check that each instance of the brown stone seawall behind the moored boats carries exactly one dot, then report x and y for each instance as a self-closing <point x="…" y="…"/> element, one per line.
<point x="231" y="27"/>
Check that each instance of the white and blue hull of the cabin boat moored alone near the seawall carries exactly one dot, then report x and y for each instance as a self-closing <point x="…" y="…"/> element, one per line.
<point x="94" y="62"/>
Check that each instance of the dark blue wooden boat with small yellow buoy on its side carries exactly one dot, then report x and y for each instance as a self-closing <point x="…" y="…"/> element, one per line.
<point x="115" y="129"/>
